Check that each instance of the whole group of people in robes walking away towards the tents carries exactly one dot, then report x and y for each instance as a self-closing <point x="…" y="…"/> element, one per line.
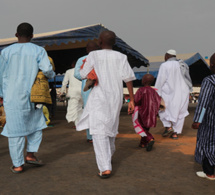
<point x="95" y="98"/>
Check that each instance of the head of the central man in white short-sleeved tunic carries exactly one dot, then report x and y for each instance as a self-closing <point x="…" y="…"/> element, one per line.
<point x="107" y="39"/>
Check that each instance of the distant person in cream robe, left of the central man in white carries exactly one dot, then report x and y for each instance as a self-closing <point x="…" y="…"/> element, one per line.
<point x="75" y="102"/>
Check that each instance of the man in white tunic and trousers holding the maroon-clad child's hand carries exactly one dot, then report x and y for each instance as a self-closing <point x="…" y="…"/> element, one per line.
<point x="101" y="114"/>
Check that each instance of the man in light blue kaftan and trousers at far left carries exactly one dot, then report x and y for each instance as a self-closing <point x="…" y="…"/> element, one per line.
<point x="19" y="67"/>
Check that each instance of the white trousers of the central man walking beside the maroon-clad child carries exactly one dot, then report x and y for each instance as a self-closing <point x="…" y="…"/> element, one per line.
<point x="104" y="148"/>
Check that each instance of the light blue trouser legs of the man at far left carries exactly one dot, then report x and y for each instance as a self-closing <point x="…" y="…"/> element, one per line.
<point x="17" y="144"/>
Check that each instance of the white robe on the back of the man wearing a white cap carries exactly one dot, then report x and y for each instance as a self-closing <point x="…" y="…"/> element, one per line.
<point x="173" y="89"/>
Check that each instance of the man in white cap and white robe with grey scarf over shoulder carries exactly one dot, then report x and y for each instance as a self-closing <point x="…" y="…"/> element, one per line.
<point x="173" y="84"/>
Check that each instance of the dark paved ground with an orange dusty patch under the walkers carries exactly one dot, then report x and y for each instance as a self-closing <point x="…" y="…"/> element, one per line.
<point x="71" y="169"/>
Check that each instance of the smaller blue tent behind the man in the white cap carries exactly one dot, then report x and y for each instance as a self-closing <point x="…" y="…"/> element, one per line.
<point x="198" y="68"/>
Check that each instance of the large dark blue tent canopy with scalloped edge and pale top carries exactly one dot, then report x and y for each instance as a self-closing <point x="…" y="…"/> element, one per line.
<point x="68" y="45"/>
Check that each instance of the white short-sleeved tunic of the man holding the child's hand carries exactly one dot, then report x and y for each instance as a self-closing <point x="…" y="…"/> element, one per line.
<point x="105" y="99"/>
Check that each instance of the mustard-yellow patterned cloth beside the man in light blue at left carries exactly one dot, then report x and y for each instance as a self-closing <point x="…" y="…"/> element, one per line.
<point x="40" y="90"/>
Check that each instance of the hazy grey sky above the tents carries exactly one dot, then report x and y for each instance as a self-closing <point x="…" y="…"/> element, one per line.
<point x="149" y="26"/>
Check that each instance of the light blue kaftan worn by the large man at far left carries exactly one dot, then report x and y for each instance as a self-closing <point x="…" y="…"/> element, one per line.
<point x="20" y="64"/>
